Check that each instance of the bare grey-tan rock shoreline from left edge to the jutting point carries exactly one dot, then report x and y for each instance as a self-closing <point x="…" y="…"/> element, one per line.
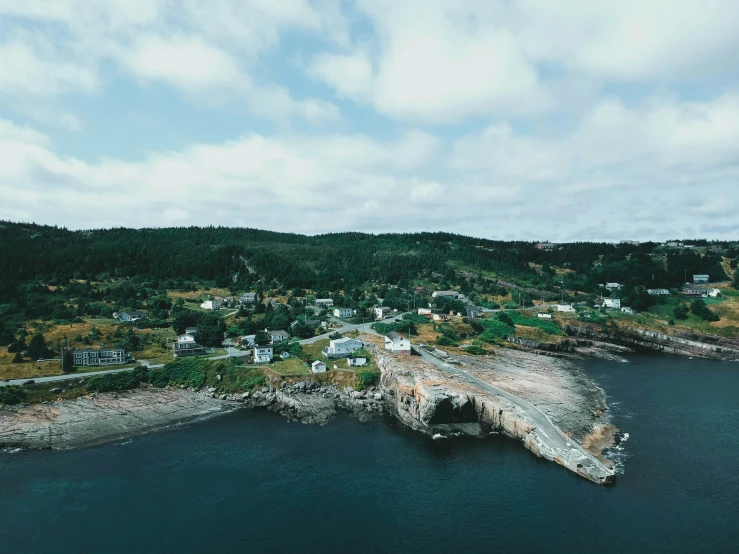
<point x="535" y="394"/>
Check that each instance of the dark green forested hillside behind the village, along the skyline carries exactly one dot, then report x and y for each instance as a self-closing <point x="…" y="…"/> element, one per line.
<point x="239" y="257"/>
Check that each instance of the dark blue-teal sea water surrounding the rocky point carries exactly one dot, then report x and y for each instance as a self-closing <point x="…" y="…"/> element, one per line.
<point x="252" y="482"/>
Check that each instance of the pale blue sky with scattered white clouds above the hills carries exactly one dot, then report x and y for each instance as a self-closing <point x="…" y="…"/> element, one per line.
<point x="512" y="119"/>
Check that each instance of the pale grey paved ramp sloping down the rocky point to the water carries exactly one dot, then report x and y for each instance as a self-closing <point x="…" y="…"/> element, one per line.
<point x="544" y="424"/>
